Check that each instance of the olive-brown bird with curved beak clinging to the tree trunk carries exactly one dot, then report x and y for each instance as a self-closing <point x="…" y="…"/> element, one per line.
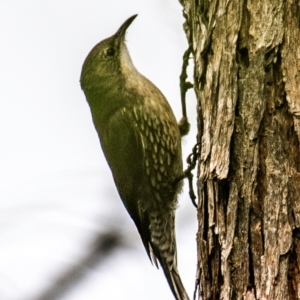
<point x="141" y="142"/>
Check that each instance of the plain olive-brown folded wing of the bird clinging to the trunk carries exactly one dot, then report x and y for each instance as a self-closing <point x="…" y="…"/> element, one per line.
<point x="123" y="147"/>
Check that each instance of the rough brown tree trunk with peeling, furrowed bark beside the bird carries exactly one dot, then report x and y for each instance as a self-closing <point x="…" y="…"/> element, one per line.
<point x="247" y="82"/>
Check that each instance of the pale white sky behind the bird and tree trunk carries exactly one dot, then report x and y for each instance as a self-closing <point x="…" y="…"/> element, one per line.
<point x="56" y="190"/>
